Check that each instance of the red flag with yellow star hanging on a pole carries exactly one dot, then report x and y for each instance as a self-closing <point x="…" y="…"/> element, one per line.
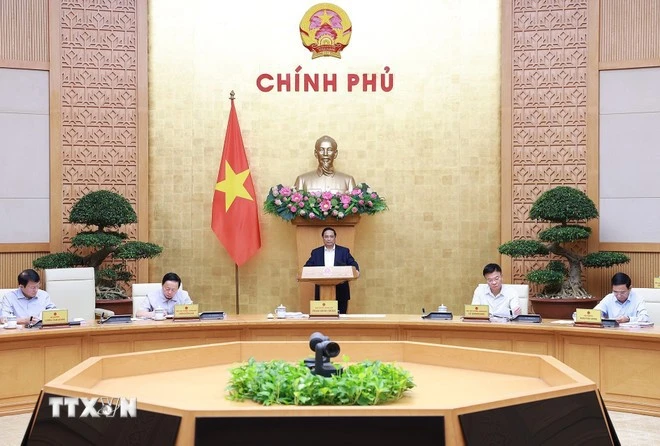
<point x="235" y="217"/>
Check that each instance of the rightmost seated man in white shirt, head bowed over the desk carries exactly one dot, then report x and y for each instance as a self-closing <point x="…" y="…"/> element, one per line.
<point x="623" y="304"/>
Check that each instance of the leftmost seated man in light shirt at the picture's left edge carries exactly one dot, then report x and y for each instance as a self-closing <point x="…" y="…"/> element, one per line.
<point x="28" y="301"/>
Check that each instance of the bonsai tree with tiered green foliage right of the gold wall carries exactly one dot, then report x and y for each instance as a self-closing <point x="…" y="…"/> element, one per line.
<point x="562" y="205"/>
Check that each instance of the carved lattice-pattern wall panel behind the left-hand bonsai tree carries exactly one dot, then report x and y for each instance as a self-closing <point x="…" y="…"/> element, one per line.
<point x="98" y="67"/>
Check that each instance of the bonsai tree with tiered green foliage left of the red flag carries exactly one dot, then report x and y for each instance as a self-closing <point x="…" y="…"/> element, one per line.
<point x="107" y="211"/>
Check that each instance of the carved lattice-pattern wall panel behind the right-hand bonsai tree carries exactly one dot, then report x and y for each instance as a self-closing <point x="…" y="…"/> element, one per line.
<point x="548" y="108"/>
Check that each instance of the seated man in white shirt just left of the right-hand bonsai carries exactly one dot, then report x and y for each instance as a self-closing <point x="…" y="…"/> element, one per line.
<point x="502" y="300"/>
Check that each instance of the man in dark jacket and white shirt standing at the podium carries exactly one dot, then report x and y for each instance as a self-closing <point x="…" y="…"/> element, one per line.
<point x="331" y="254"/>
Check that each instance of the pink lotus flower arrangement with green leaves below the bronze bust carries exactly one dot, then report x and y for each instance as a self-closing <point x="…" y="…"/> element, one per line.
<point x="288" y="202"/>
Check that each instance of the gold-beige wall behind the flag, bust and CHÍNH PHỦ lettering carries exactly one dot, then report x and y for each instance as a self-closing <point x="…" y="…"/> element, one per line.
<point x="430" y="146"/>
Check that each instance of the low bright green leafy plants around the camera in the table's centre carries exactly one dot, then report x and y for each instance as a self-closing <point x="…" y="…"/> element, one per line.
<point x="279" y="382"/>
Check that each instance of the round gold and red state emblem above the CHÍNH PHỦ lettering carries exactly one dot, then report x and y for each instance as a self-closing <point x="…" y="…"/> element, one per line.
<point x="325" y="30"/>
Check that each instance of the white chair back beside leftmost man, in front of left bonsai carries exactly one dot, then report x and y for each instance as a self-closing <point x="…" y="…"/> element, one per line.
<point x="73" y="289"/>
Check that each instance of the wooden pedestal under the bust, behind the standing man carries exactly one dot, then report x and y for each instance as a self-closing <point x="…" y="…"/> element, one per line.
<point x="308" y="237"/>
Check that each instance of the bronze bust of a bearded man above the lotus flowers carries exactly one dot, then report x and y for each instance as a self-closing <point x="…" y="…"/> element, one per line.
<point x="325" y="177"/>
